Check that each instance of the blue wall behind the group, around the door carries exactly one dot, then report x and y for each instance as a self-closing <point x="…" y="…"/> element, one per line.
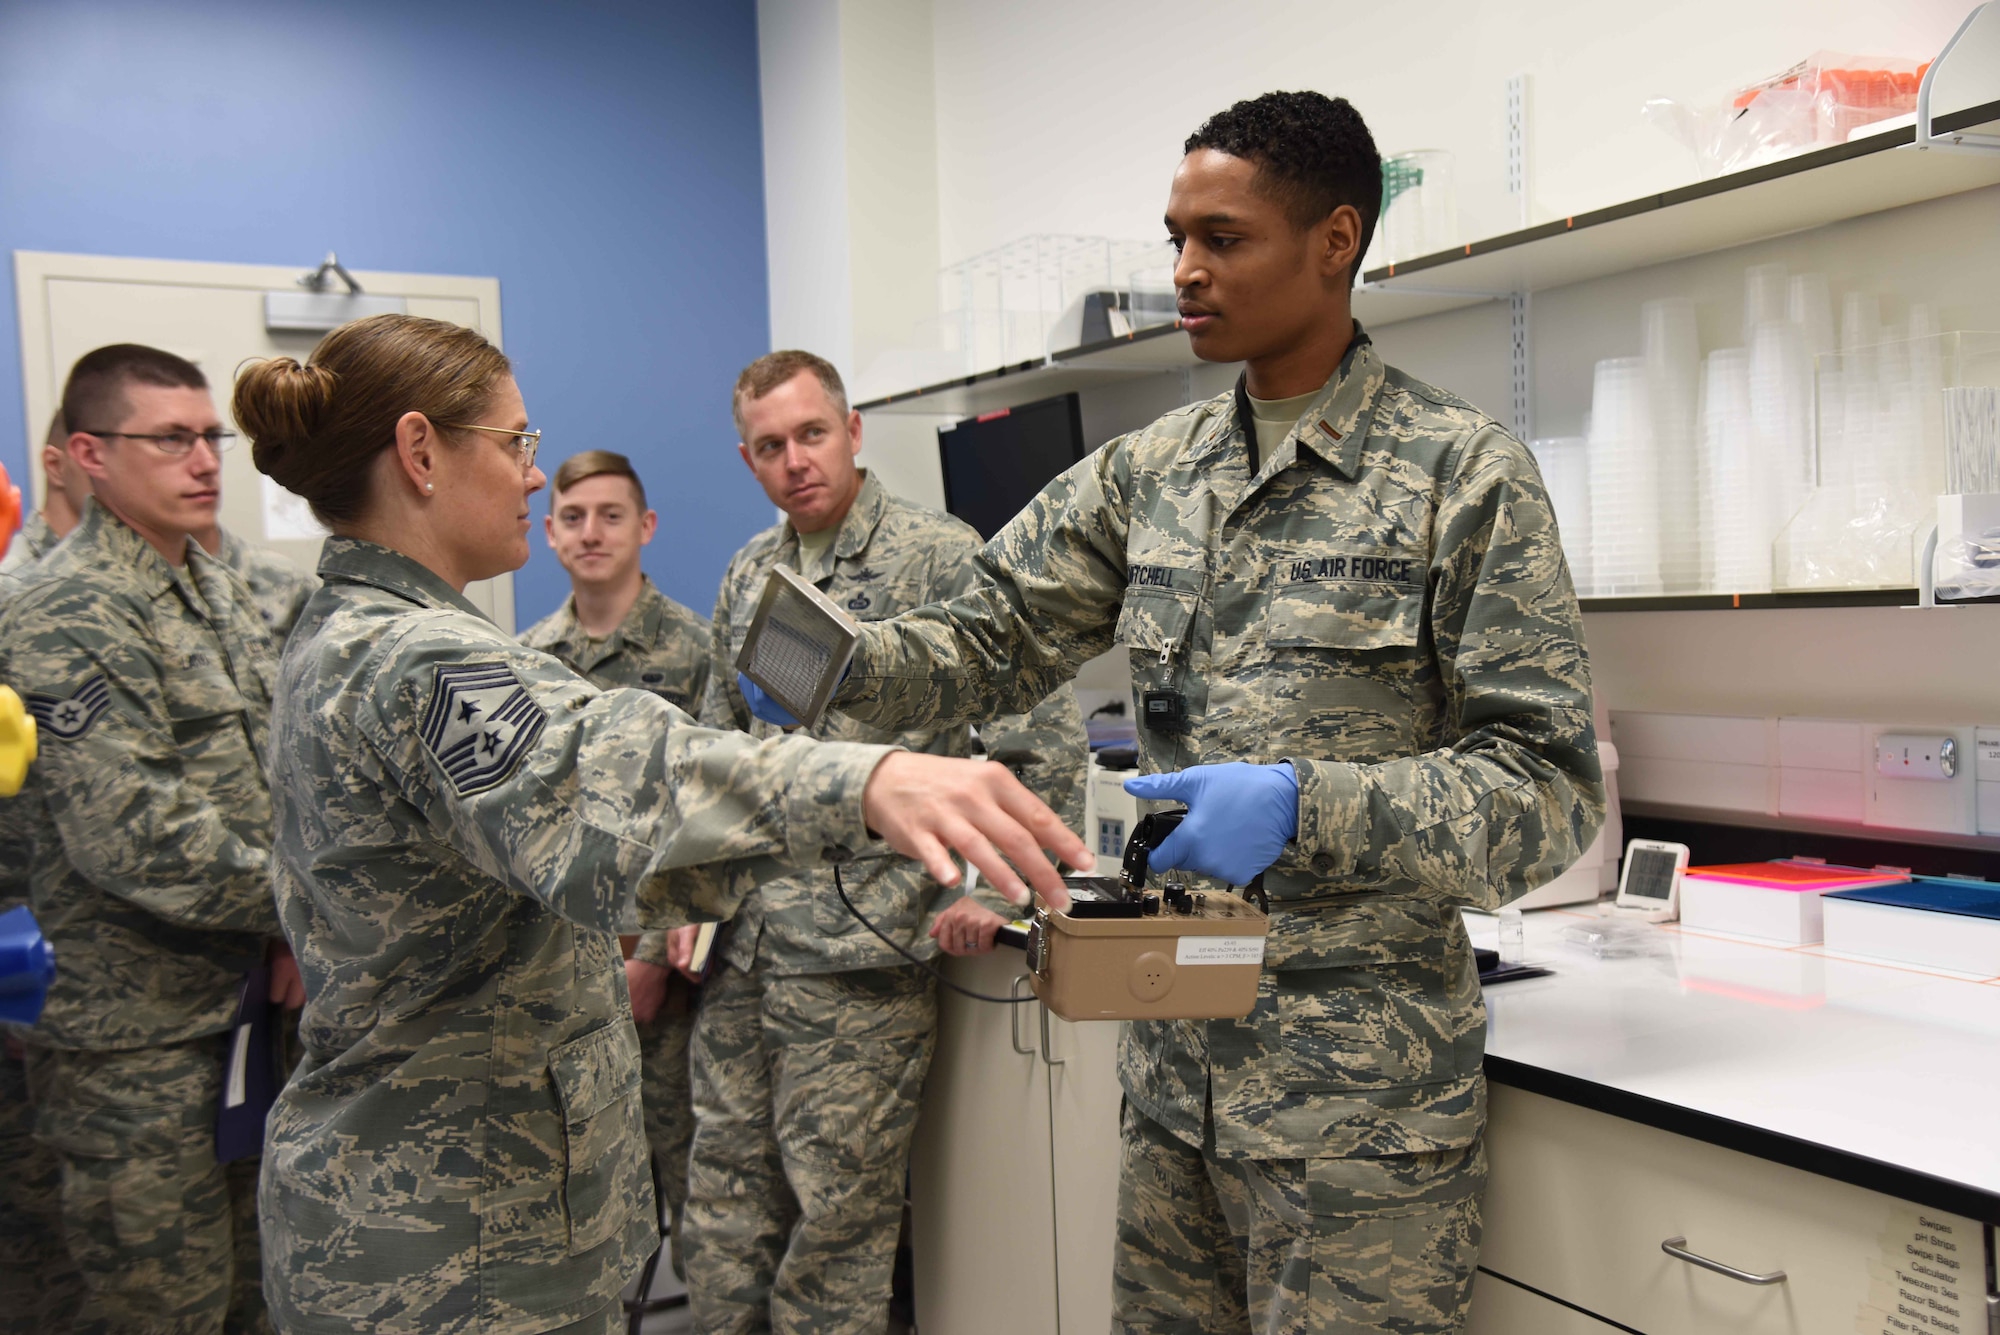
<point x="601" y="161"/>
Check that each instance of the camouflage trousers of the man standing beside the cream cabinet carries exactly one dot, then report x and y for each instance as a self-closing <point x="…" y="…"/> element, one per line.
<point x="805" y="1106"/>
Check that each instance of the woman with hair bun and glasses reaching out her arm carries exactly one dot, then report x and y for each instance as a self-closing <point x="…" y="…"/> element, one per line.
<point x="461" y="828"/>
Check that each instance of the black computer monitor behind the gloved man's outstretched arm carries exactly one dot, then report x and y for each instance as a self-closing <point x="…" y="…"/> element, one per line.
<point x="997" y="463"/>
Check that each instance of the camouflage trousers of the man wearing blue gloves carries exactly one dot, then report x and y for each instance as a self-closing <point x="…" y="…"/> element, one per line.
<point x="1293" y="1246"/>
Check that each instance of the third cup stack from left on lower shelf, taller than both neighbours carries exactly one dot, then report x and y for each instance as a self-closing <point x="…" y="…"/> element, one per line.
<point x="1673" y="389"/>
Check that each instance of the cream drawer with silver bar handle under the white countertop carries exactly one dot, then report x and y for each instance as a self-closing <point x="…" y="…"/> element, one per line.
<point x="1581" y="1202"/>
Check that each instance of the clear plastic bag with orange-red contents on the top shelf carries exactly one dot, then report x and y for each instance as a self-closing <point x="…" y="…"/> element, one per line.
<point x="1821" y="101"/>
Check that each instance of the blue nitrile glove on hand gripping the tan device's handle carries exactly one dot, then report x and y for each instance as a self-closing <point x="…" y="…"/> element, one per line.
<point x="1239" y="818"/>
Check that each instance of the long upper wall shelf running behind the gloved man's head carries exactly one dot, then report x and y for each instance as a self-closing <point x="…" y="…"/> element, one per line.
<point x="1807" y="191"/>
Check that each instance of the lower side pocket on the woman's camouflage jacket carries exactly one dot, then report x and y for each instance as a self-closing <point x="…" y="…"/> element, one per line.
<point x="605" y="1170"/>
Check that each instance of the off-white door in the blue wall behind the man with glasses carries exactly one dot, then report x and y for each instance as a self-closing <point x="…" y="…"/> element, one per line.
<point x="213" y="315"/>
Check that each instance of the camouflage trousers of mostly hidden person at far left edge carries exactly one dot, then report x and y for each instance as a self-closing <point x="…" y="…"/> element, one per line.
<point x="39" y="1284"/>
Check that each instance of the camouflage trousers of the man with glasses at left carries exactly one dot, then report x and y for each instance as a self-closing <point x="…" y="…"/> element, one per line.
<point x="163" y="1234"/>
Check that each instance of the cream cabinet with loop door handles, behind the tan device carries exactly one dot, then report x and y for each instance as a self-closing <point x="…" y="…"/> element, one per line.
<point x="1015" y="1172"/>
